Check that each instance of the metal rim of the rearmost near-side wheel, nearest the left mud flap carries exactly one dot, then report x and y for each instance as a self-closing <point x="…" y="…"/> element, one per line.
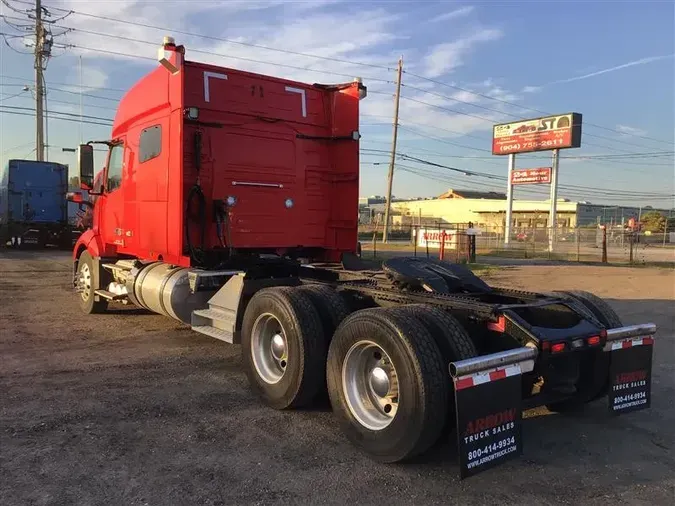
<point x="370" y="385"/>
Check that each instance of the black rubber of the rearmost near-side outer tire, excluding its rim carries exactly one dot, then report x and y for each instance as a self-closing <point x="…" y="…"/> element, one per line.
<point x="422" y="383"/>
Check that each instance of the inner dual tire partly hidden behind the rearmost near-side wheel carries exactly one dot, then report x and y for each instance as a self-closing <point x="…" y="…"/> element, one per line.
<point x="452" y="339"/>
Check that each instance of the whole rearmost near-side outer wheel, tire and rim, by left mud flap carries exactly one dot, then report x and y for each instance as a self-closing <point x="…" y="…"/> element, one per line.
<point x="387" y="384"/>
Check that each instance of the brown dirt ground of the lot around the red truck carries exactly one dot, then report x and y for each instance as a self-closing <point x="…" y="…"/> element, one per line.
<point x="132" y="408"/>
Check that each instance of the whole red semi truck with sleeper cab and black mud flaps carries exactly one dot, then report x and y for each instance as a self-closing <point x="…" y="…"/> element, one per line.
<point x="228" y="203"/>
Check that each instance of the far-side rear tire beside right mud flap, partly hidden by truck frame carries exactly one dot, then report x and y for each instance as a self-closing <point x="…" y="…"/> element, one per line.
<point x="594" y="378"/>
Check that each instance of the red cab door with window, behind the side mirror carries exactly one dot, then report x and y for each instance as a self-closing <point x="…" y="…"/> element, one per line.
<point x="111" y="219"/>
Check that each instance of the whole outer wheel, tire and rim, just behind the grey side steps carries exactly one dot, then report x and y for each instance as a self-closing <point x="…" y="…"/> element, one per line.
<point x="283" y="347"/>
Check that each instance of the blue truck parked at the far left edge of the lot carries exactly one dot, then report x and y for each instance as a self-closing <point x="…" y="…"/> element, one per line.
<point x="33" y="205"/>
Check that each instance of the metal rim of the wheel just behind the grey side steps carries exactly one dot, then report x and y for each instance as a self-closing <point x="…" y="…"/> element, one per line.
<point x="269" y="348"/>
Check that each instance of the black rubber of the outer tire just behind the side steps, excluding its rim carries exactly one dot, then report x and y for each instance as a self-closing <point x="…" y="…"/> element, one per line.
<point x="305" y="341"/>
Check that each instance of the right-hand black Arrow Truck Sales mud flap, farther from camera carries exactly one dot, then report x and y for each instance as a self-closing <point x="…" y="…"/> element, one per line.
<point x="630" y="372"/>
